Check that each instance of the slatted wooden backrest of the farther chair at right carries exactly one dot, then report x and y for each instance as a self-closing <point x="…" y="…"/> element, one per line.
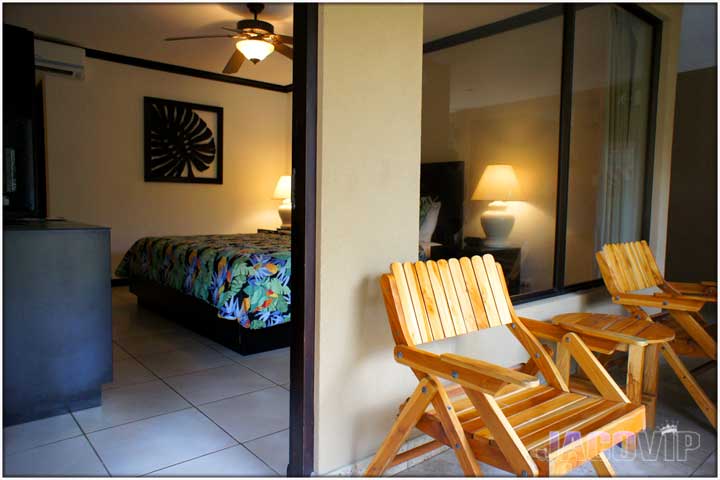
<point x="629" y="266"/>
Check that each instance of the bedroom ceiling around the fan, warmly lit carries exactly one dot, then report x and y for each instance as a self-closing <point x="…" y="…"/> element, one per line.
<point x="138" y="30"/>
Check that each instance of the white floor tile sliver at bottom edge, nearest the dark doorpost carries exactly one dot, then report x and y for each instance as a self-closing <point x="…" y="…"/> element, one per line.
<point x="232" y="462"/>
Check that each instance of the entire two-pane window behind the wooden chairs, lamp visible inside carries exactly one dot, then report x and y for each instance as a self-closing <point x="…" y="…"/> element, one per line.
<point x="550" y="115"/>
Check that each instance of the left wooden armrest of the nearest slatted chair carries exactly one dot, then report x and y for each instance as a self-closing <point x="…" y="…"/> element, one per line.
<point x="463" y="373"/>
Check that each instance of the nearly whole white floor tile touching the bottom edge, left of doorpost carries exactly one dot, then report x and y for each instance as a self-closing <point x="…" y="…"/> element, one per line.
<point x="159" y="442"/>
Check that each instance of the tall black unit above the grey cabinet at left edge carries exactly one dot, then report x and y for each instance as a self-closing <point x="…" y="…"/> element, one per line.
<point x="23" y="136"/>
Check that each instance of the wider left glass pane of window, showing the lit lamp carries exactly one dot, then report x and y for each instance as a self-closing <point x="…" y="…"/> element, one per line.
<point x="496" y="101"/>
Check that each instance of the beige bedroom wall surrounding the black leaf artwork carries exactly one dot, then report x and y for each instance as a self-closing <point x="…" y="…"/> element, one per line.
<point x="94" y="131"/>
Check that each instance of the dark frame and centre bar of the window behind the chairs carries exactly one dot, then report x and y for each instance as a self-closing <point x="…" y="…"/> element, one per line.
<point x="568" y="11"/>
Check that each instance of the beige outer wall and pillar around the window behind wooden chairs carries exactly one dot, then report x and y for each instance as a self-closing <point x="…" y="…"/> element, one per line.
<point x="369" y="156"/>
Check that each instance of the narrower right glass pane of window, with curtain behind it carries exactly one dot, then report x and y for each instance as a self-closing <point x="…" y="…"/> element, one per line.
<point x="608" y="139"/>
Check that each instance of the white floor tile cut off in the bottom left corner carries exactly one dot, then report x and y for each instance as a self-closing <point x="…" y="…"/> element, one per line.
<point x="73" y="457"/>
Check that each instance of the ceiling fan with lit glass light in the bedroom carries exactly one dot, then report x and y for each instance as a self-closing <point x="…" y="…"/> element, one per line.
<point x="255" y="40"/>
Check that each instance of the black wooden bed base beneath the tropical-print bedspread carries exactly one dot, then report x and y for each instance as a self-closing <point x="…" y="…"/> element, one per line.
<point x="202" y="318"/>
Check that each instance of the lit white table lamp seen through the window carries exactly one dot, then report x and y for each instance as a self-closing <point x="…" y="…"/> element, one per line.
<point x="498" y="184"/>
